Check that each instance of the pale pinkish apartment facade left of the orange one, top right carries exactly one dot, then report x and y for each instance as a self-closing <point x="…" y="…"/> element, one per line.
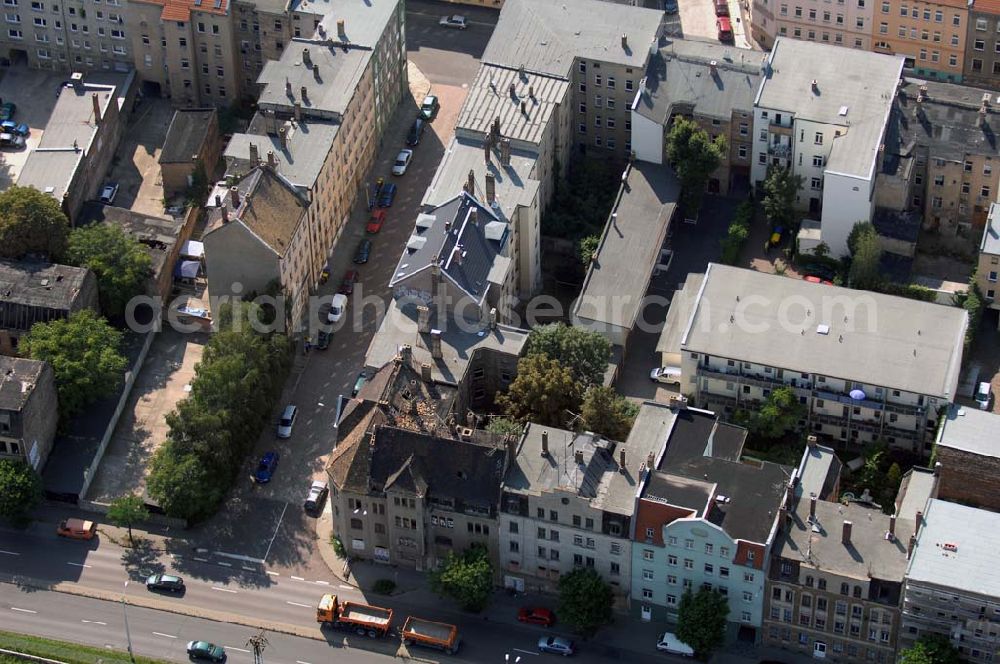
<point x="841" y="23"/>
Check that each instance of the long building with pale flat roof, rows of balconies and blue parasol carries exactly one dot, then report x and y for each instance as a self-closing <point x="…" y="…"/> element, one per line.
<point x="867" y="366"/>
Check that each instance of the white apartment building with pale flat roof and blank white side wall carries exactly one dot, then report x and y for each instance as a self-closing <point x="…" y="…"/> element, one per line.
<point x="822" y="111"/>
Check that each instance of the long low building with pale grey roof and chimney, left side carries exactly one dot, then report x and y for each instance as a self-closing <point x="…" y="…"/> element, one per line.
<point x="78" y="143"/>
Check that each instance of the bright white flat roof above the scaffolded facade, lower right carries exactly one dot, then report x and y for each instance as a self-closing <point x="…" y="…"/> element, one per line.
<point x="972" y="565"/>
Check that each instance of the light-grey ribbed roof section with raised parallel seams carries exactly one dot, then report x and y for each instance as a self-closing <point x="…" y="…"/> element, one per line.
<point x="490" y="97"/>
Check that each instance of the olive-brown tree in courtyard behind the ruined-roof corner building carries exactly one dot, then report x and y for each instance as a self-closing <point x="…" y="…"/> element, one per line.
<point x="542" y="392"/>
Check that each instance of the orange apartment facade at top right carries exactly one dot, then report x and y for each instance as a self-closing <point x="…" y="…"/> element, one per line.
<point x="929" y="35"/>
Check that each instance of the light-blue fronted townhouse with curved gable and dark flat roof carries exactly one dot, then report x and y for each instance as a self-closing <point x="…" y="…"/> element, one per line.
<point x="704" y="518"/>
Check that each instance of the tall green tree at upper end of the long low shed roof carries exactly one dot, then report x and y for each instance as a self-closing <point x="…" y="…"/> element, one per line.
<point x="695" y="157"/>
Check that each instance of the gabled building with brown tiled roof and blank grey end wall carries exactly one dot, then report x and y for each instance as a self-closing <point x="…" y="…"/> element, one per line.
<point x="257" y="234"/>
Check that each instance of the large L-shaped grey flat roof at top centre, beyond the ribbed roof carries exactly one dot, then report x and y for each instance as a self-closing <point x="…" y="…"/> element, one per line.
<point x="546" y="36"/>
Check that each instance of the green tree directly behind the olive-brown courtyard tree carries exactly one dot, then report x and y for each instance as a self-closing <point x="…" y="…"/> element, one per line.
<point x="585" y="353"/>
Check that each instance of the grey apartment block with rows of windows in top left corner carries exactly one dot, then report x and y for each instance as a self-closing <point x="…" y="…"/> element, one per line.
<point x="68" y="35"/>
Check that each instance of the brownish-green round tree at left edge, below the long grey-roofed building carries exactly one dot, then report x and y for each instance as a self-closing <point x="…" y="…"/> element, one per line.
<point x="31" y="223"/>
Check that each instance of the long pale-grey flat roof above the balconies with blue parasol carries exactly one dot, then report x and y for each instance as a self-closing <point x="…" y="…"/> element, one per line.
<point x="861" y="336"/>
